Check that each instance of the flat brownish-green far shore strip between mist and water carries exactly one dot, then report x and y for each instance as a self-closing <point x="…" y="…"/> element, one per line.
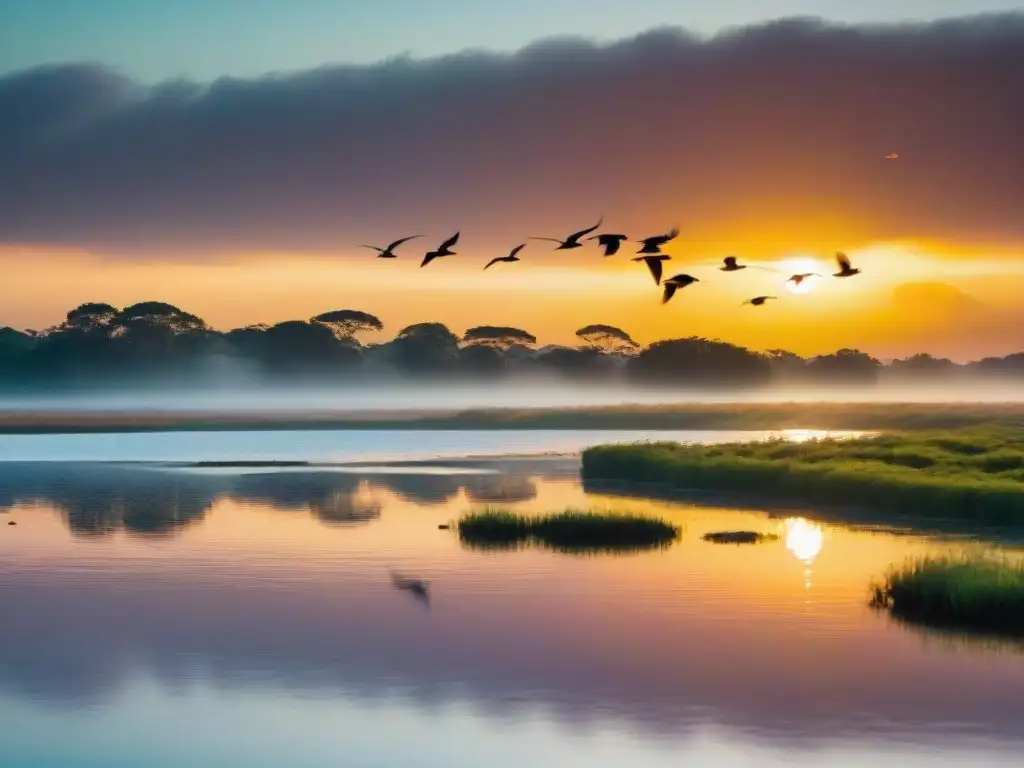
<point x="745" y="417"/>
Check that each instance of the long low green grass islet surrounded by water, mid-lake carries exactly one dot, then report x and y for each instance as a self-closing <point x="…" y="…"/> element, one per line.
<point x="572" y="531"/>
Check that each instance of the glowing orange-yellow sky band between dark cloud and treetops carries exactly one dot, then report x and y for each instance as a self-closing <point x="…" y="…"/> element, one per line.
<point x="911" y="298"/>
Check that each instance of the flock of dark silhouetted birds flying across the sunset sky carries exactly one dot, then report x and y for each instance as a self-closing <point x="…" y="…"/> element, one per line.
<point x="650" y="253"/>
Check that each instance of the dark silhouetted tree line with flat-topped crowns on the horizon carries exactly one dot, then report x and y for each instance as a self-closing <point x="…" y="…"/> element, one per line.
<point x="153" y="343"/>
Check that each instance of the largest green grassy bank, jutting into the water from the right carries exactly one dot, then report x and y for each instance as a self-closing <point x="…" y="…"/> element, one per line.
<point x="972" y="474"/>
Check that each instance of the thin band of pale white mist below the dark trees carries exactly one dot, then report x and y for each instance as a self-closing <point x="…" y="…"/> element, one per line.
<point x="387" y="396"/>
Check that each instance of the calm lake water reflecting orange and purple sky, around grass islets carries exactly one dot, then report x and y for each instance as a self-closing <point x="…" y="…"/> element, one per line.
<point x="157" y="617"/>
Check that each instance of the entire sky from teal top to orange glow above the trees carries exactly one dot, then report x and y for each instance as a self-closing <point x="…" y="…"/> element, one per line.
<point x="231" y="158"/>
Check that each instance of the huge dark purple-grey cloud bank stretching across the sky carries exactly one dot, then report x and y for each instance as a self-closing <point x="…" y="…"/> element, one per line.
<point x="785" y="124"/>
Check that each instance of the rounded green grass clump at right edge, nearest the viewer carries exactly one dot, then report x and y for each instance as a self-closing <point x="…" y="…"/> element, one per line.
<point x="974" y="593"/>
